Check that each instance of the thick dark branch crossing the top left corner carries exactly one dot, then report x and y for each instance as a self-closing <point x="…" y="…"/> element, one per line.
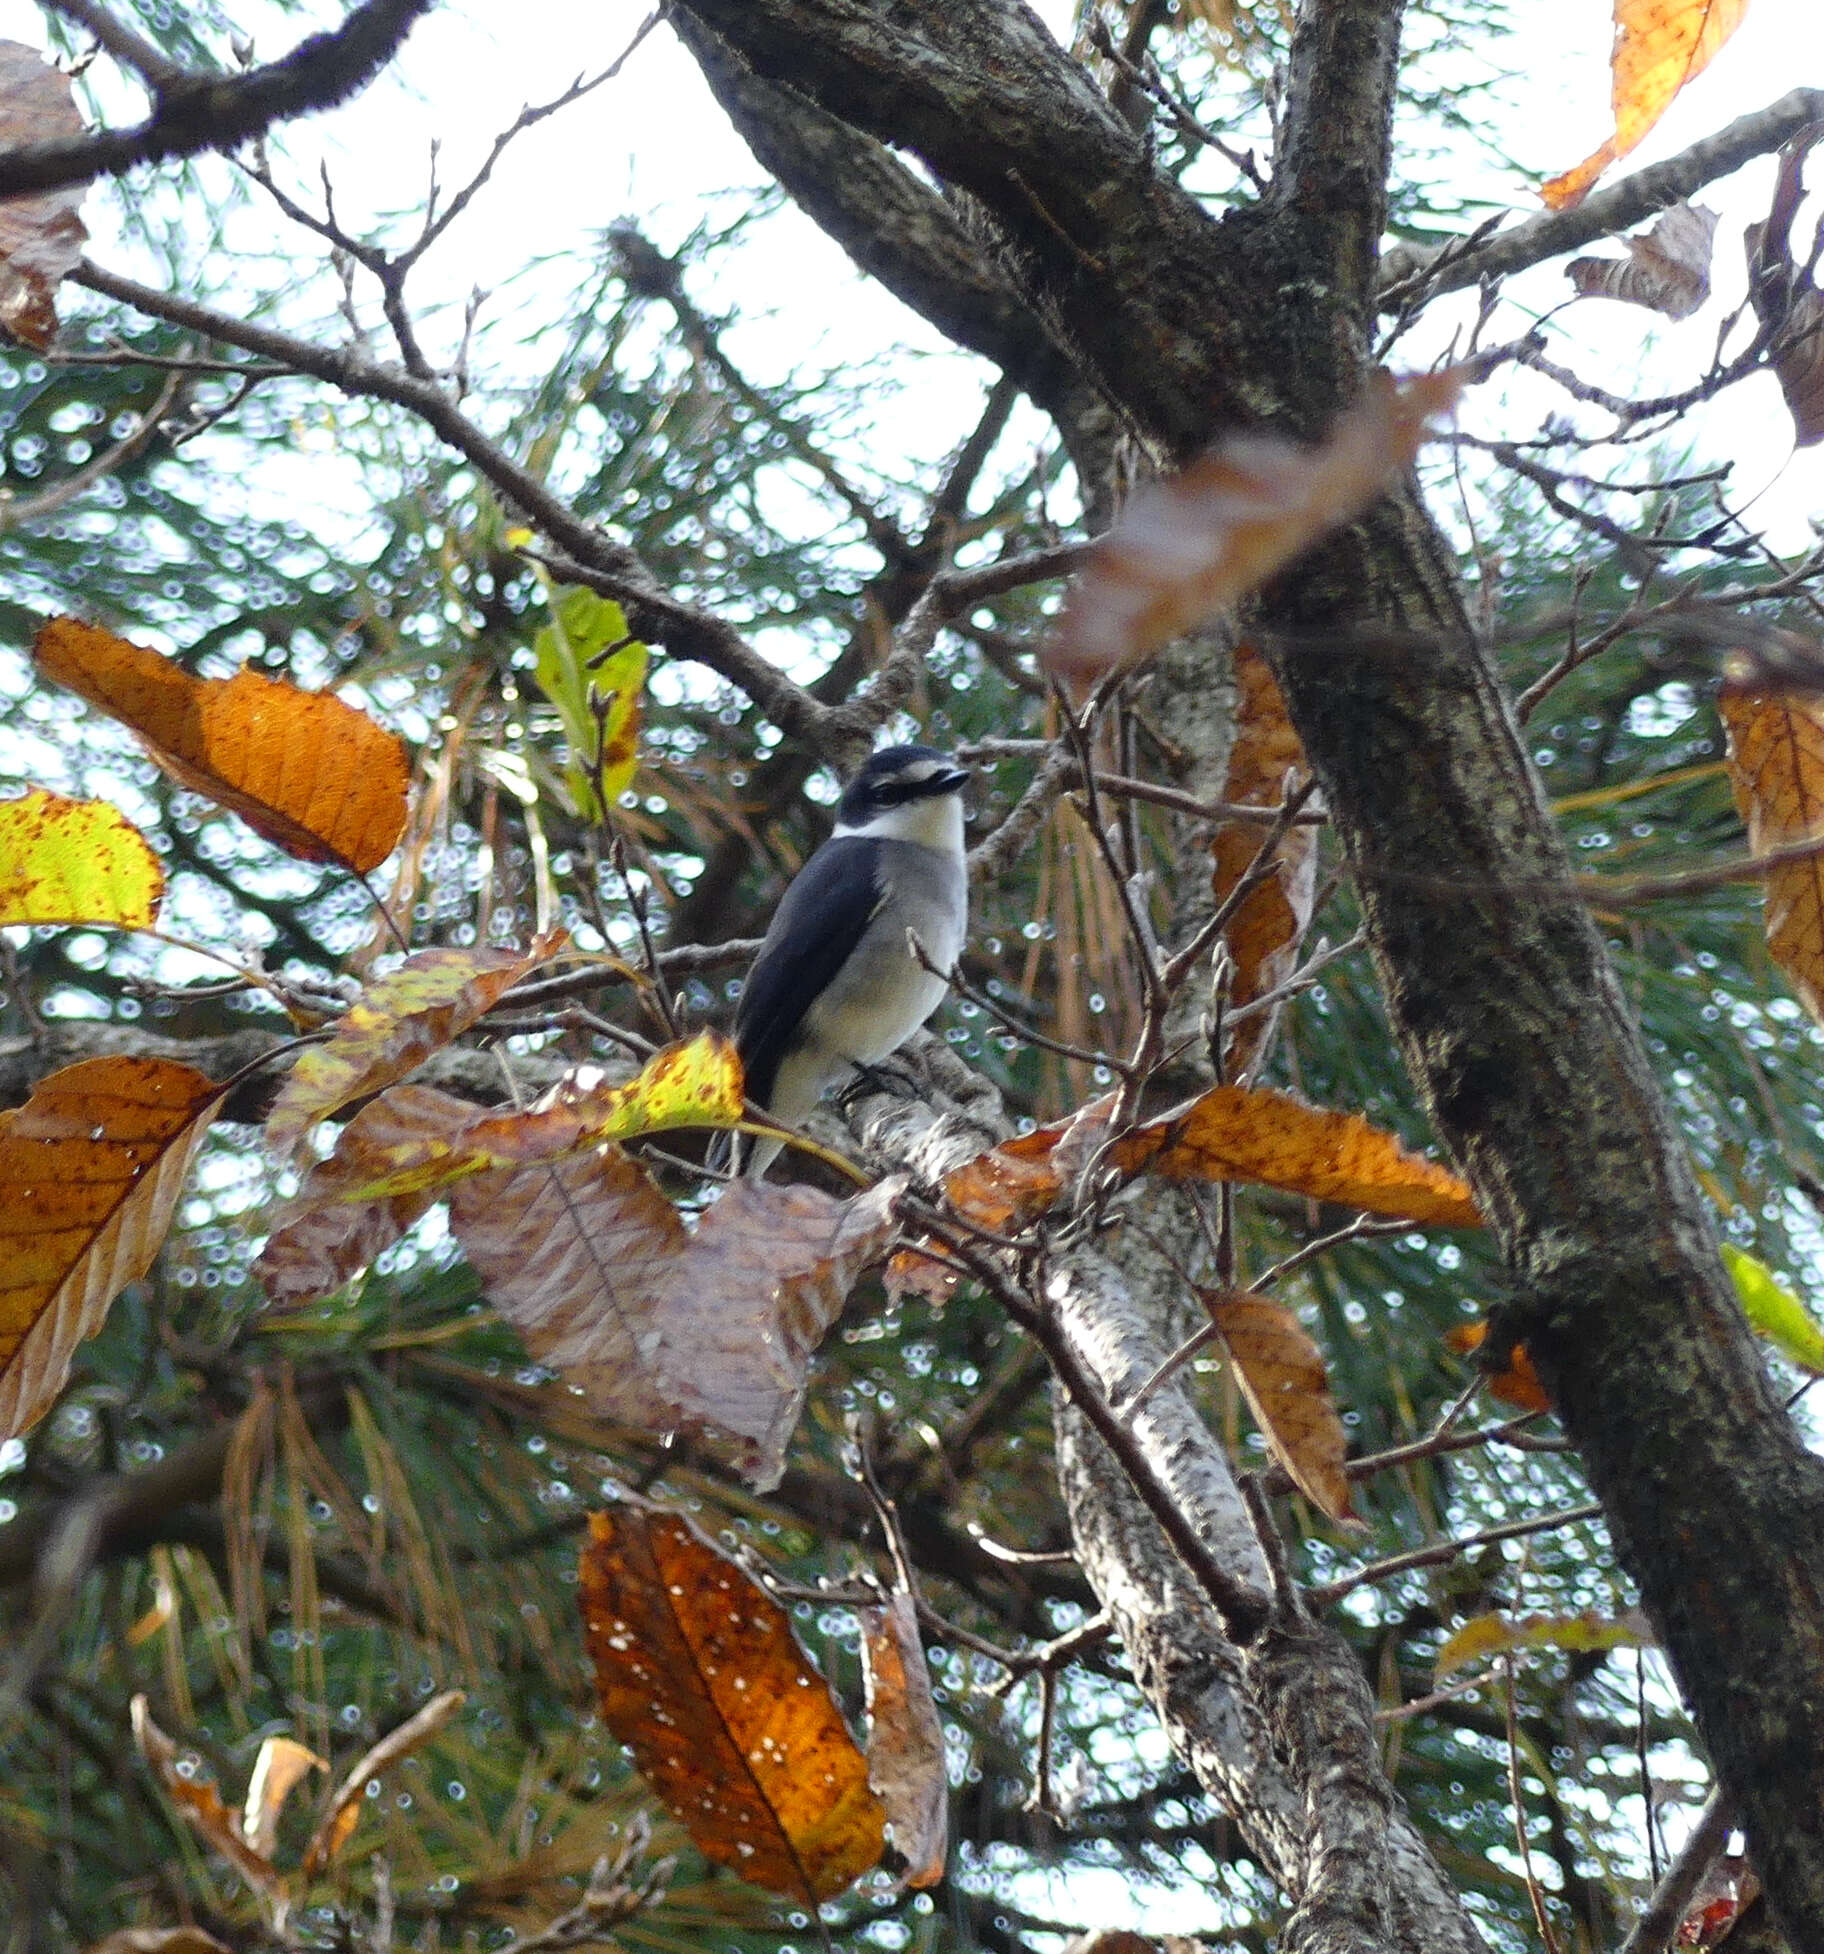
<point x="200" y="112"/>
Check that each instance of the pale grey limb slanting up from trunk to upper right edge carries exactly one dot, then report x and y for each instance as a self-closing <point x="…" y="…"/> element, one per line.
<point x="1635" y="198"/>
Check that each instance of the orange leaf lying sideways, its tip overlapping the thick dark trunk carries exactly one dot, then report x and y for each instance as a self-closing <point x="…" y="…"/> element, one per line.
<point x="1266" y="1136"/>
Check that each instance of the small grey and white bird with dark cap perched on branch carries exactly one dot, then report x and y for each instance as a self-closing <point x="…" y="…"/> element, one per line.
<point x="836" y="984"/>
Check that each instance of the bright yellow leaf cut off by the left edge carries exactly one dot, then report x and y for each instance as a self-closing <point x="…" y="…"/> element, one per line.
<point x="75" y="863"/>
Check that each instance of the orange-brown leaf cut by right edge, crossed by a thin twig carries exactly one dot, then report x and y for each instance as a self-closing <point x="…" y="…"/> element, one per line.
<point x="1776" y="765"/>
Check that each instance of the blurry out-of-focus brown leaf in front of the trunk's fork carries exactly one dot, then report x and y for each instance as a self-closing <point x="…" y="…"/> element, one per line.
<point x="1190" y="546"/>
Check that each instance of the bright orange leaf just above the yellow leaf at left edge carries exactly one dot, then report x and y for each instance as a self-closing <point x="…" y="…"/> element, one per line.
<point x="312" y="775"/>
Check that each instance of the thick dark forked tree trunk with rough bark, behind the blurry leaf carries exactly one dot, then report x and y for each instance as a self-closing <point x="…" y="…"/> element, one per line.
<point x="1500" y="990"/>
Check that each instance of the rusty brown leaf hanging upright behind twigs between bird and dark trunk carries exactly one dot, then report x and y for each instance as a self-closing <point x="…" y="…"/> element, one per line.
<point x="1268" y="929"/>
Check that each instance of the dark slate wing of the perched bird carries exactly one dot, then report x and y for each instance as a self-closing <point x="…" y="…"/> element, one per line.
<point x="814" y="933"/>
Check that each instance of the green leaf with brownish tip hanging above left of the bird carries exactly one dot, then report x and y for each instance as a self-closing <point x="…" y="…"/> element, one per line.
<point x="593" y="671"/>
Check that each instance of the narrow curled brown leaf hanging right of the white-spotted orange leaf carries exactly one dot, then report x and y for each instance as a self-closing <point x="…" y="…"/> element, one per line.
<point x="906" y="1740"/>
